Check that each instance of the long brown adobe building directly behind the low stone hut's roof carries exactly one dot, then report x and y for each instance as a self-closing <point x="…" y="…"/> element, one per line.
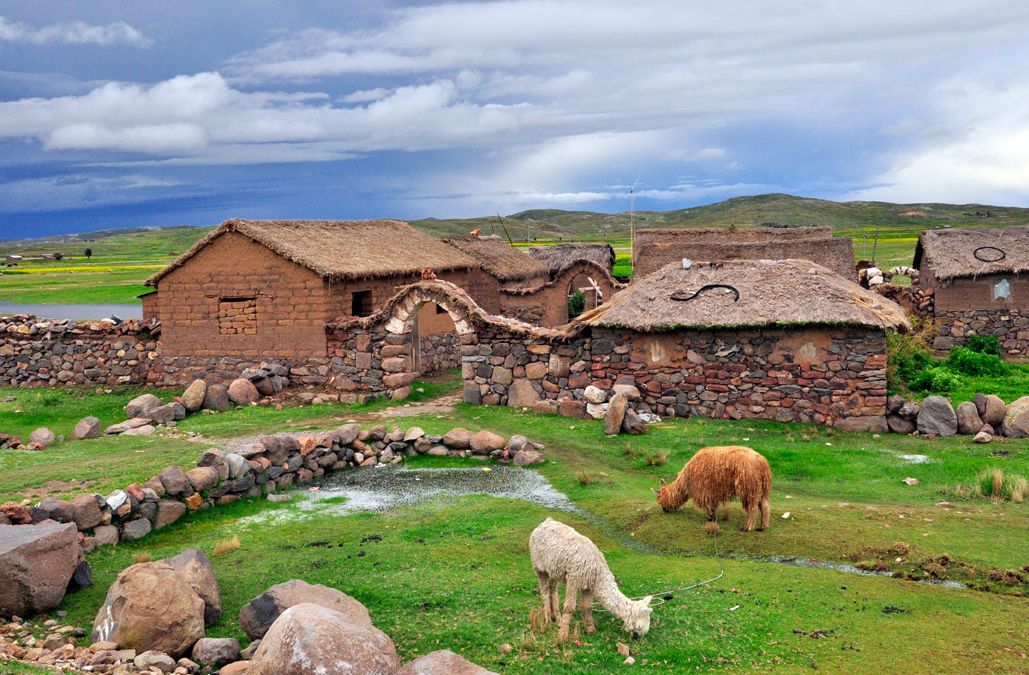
<point x="655" y="248"/>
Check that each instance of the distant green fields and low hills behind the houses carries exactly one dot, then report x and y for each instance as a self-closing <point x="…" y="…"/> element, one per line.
<point x="122" y="261"/>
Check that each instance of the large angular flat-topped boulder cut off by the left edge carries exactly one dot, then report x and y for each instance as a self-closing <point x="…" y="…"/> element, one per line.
<point x="37" y="564"/>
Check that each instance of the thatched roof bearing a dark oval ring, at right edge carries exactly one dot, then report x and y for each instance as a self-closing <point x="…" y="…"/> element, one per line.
<point x="951" y="254"/>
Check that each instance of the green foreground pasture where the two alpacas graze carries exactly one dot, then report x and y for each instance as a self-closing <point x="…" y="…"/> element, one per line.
<point x="454" y="573"/>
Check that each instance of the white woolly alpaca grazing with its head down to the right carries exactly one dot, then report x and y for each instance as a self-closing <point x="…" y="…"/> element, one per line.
<point x="561" y="554"/>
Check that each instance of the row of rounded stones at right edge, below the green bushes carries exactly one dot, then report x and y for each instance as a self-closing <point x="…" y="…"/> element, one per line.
<point x="986" y="417"/>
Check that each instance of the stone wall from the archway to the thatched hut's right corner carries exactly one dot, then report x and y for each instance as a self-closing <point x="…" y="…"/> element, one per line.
<point x="790" y="375"/>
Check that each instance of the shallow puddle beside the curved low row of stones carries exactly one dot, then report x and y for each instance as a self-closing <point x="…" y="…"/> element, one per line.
<point x="384" y="488"/>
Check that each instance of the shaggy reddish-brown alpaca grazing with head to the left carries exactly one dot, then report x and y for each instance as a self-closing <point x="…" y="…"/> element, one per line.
<point x="716" y="476"/>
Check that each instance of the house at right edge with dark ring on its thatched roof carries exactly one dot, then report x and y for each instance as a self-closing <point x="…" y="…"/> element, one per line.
<point x="979" y="279"/>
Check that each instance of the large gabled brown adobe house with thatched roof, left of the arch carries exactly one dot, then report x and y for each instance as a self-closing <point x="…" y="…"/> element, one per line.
<point x="267" y="289"/>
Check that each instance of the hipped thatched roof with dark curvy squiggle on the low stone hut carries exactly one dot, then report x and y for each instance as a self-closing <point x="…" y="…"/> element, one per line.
<point x="771" y="293"/>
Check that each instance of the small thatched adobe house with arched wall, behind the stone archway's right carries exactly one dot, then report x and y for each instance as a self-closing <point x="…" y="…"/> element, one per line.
<point x="511" y="283"/>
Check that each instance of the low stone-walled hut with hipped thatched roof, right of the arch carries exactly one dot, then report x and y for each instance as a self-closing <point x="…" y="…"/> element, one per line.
<point x="777" y="340"/>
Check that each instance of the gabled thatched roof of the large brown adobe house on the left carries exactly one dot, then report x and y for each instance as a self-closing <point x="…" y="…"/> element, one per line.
<point x="341" y="250"/>
